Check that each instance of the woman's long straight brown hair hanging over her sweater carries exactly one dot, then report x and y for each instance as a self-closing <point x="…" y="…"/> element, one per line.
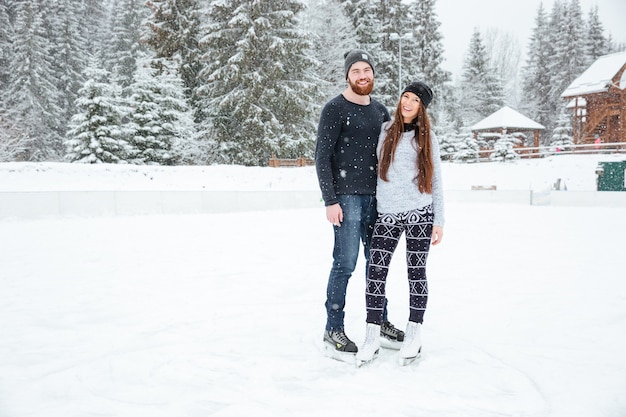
<point x="421" y="140"/>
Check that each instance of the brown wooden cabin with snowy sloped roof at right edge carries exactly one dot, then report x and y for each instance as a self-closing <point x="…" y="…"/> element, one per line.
<point x="598" y="100"/>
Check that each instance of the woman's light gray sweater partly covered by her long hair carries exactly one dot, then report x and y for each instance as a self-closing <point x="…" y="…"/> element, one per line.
<point x="400" y="193"/>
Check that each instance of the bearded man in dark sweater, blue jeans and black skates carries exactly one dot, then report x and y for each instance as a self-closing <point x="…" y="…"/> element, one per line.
<point x="346" y="164"/>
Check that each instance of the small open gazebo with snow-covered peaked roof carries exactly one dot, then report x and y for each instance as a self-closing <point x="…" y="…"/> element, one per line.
<point x="506" y="120"/>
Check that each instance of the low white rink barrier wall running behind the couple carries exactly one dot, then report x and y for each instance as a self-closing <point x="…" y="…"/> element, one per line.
<point x="43" y="204"/>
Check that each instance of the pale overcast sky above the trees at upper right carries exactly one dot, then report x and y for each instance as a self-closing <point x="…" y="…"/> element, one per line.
<point x="459" y="18"/>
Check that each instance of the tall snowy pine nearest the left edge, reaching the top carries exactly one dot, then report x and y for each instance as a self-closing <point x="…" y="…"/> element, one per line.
<point x="32" y="99"/>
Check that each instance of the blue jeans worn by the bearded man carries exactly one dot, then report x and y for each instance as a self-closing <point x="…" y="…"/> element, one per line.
<point x="359" y="216"/>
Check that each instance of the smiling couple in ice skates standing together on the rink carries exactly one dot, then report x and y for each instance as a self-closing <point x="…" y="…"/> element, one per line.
<point x="379" y="177"/>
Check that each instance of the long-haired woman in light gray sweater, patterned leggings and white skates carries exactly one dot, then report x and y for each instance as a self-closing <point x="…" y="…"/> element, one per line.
<point x="409" y="200"/>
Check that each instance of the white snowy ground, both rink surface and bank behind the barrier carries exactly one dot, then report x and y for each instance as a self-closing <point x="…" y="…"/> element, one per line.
<point x="222" y="314"/>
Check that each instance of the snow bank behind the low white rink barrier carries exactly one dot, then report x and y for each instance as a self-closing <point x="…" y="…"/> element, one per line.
<point x="577" y="173"/>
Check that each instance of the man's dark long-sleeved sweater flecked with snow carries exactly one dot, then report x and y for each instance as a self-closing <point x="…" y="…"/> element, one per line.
<point x="345" y="152"/>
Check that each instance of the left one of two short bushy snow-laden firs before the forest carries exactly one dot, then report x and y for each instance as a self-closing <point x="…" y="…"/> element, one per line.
<point x="94" y="134"/>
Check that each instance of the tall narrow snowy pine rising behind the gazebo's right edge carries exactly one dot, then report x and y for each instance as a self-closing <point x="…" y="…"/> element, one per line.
<point x="536" y="75"/>
